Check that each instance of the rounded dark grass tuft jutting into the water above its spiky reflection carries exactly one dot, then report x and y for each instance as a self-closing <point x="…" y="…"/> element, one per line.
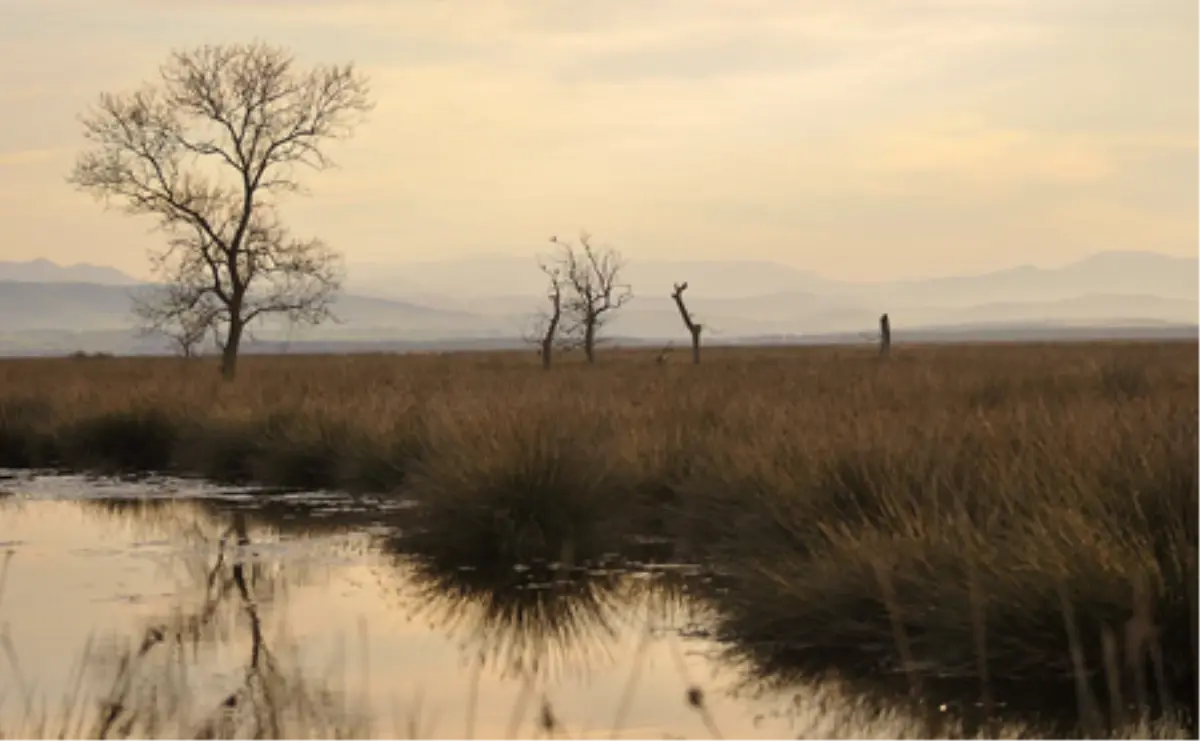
<point x="541" y="490"/>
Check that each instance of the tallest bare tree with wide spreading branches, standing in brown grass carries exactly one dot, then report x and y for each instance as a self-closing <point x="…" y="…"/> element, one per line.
<point x="207" y="152"/>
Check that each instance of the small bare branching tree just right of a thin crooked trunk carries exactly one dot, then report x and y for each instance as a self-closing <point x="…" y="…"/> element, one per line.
<point x="592" y="278"/>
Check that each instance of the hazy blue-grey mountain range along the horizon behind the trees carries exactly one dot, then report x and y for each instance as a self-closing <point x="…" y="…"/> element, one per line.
<point x="489" y="302"/>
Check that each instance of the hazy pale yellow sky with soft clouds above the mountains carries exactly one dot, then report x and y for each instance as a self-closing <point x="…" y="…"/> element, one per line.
<point x="869" y="138"/>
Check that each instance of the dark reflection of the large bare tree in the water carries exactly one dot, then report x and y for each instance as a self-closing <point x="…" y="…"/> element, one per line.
<point x="255" y="689"/>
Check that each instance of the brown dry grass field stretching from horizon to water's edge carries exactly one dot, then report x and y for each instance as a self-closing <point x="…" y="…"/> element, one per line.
<point x="986" y="517"/>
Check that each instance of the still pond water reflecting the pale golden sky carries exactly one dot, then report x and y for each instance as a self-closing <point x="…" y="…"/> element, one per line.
<point x="176" y="610"/>
